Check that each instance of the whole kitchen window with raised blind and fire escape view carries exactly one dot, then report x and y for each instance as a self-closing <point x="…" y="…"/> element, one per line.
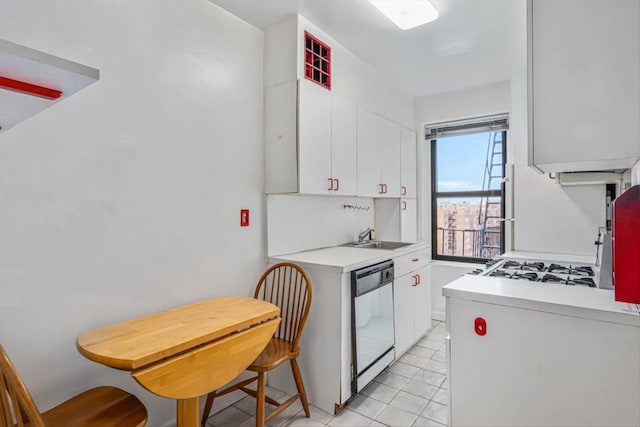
<point x="467" y="188"/>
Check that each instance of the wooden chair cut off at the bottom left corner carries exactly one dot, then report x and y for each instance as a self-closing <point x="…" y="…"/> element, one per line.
<point x="102" y="406"/>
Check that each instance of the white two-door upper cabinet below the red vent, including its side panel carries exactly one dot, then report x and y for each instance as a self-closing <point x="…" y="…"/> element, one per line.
<point x="310" y="141"/>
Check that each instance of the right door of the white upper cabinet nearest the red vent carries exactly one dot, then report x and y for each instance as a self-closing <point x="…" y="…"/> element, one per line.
<point x="343" y="147"/>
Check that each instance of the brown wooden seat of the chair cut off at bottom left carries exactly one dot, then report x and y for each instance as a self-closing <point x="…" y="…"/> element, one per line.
<point x="98" y="407"/>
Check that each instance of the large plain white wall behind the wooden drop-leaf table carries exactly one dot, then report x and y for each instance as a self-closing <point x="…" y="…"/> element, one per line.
<point x="125" y="198"/>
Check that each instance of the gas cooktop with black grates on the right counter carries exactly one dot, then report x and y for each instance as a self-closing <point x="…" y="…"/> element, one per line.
<point x="542" y="272"/>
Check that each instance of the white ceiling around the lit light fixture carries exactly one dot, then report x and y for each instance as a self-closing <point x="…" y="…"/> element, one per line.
<point x="472" y="43"/>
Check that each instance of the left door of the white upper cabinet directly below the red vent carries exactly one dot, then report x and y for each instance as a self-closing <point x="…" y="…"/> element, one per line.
<point x="314" y="139"/>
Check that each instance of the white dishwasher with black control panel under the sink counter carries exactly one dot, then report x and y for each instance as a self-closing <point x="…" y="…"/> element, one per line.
<point x="372" y="333"/>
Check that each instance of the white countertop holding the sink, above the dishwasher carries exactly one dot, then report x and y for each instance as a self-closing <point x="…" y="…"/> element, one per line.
<point x="345" y="258"/>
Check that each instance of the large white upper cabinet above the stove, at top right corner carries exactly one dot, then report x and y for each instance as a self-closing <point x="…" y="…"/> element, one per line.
<point x="584" y="84"/>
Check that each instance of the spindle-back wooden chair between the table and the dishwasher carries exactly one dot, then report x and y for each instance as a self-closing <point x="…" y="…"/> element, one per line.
<point x="287" y="286"/>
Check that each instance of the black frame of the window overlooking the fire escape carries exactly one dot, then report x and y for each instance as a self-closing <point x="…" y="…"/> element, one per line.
<point x="435" y="195"/>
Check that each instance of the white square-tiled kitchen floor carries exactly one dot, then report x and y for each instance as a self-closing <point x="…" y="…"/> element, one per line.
<point x="411" y="392"/>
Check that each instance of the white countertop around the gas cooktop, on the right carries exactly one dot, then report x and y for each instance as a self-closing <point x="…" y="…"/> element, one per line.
<point x="577" y="301"/>
